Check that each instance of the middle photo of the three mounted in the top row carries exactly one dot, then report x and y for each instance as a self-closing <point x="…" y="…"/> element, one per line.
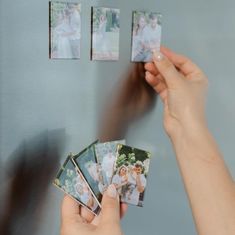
<point x="105" y="33"/>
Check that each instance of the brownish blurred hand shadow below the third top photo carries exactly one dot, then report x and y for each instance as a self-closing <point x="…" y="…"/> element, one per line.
<point x="132" y="99"/>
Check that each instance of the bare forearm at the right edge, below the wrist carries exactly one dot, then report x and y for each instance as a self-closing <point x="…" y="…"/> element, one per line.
<point x="209" y="185"/>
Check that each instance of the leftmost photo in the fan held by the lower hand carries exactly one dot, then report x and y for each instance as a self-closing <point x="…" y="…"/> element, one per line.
<point x="72" y="183"/>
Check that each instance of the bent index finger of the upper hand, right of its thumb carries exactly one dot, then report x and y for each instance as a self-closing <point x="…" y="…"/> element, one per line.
<point x="186" y="66"/>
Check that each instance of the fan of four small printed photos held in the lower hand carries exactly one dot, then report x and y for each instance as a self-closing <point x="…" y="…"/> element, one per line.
<point x="86" y="175"/>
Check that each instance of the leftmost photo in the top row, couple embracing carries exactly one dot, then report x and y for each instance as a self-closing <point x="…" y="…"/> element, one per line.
<point x="65" y="30"/>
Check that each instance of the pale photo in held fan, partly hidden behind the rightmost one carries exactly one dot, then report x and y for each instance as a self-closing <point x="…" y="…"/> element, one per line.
<point x="106" y="157"/>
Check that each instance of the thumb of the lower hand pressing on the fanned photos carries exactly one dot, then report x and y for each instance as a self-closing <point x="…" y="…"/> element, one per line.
<point x="110" y="207"/>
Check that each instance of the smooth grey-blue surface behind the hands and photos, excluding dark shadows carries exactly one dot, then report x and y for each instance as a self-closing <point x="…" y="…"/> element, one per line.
<point x="38" y="93"/>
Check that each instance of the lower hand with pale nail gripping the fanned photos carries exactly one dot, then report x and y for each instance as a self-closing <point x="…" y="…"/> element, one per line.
<point x="77" y="220"/>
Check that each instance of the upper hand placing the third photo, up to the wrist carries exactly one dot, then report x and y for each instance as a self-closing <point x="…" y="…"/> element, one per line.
<point x="182" y="87"/>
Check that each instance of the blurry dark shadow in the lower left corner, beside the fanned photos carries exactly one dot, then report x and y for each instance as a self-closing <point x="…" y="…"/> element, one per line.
<point x="31" y="169"/>
